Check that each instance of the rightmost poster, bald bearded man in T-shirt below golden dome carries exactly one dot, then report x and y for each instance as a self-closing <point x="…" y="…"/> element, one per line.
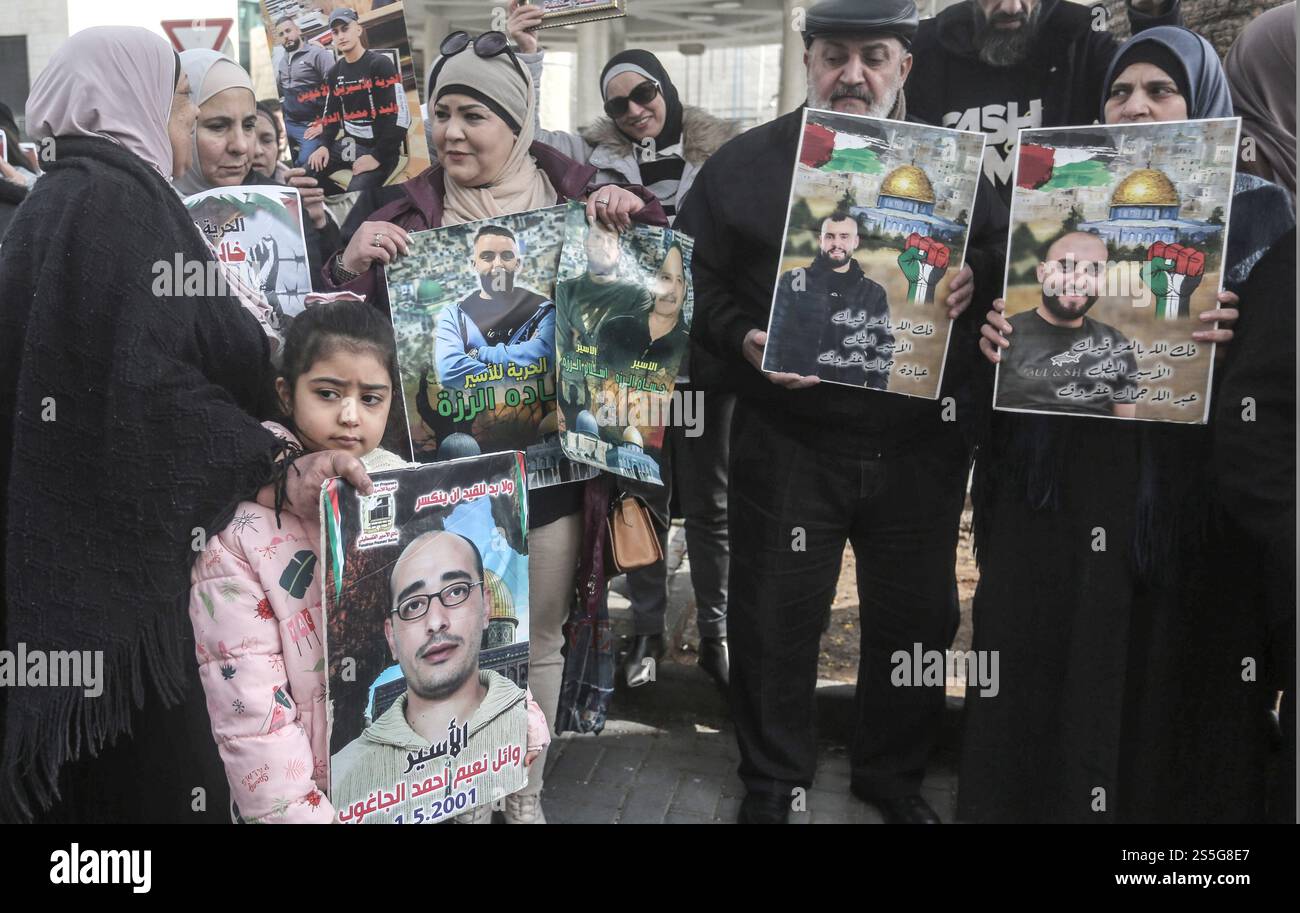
<point x="1117" y="248"/>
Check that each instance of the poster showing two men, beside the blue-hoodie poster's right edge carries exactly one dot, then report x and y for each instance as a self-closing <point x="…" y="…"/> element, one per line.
<point x="623" y="308"/>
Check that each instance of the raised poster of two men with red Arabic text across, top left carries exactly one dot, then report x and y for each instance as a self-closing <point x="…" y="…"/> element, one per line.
<point x="346" y="85"/>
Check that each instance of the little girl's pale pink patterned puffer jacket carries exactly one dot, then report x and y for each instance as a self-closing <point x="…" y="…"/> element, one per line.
<point x="255" y="604"/>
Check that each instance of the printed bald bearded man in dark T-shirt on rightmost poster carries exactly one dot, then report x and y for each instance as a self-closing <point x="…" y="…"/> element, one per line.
<point x="1059" y="347"/>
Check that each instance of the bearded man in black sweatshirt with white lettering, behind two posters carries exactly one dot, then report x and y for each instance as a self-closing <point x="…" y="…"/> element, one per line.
<point x="1002" y="66"/>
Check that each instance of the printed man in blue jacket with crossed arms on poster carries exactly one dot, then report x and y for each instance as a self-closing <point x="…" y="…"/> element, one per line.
<point x="497" y="323"/>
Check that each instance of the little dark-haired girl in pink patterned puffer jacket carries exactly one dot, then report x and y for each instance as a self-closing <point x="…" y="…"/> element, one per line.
<point x="255" y="598"/>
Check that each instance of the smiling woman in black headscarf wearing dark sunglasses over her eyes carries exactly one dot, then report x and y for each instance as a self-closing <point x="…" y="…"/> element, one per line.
<point x="648" y="136"/>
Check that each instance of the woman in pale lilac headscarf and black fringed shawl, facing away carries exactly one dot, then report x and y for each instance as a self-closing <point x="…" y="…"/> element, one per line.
<point x="158" y="383"/>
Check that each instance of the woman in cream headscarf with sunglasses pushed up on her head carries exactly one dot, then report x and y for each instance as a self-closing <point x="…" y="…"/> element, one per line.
<point x="480" y="124"/>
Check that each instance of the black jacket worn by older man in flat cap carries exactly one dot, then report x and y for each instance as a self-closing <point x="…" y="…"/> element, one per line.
<point x="736" y="214"/>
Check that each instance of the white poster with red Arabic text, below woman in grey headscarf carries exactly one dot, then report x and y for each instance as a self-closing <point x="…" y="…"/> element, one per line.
<point x="259" y="233"/>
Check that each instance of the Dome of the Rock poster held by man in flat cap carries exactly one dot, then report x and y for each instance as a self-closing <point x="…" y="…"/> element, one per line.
<point x="876" y="235"/>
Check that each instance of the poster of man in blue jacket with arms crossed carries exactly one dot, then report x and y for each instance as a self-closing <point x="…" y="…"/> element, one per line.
<point x="474" y="318"/>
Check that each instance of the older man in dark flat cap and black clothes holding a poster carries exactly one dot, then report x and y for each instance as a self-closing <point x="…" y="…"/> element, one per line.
<point x="817" y="465"/>
